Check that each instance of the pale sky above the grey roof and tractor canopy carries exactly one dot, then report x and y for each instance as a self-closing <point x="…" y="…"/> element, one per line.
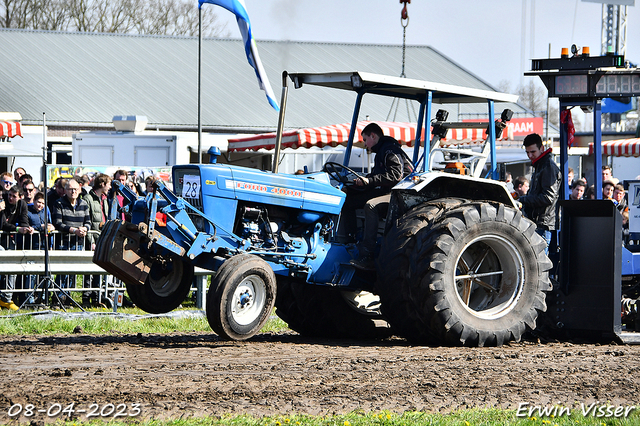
<point x="484" y="36"/>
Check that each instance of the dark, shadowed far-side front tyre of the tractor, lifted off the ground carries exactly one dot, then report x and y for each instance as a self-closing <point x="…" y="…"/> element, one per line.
<point x="166" y="286"/>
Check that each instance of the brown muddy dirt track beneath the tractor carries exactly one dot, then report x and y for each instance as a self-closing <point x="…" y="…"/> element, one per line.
<point x="196" y="374"/>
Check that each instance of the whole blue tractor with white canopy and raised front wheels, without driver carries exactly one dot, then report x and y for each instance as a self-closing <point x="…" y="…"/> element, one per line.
<point x="458" y="263"/>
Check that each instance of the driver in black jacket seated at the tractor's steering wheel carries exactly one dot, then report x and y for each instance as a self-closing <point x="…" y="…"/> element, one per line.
<point x="390" y="166"/>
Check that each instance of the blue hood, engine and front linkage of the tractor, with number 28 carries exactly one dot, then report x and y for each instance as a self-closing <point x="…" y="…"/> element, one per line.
<point x="222" y="207"/>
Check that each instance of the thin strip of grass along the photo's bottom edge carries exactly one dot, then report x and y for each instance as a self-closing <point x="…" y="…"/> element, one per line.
<point x="472" y="417"/>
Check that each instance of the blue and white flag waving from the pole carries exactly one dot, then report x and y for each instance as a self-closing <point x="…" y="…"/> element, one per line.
<point x="239" y="9"/>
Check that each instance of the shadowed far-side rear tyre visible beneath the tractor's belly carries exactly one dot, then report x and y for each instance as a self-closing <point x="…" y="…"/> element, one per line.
<point x="319" y="311"/>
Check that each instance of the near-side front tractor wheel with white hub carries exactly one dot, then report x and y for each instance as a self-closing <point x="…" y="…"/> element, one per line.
<point x="241" y="297"/>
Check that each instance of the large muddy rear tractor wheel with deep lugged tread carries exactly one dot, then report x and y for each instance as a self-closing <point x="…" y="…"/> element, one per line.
<point x="456" y="273"/>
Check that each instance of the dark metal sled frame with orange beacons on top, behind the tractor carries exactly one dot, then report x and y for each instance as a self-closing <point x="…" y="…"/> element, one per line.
<point x="587" y="303"/>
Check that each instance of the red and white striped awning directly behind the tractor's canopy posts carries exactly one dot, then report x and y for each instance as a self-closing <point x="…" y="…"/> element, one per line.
<point x="338" y="134"/>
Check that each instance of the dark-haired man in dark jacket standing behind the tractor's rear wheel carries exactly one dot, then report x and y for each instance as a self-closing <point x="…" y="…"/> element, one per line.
<point x="540" y="203"/>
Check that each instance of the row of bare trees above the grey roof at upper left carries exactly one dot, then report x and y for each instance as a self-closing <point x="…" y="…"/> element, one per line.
<point x="159" y="17"/>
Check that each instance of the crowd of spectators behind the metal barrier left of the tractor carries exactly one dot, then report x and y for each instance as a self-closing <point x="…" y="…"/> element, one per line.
<point x="75" y="212"/>
